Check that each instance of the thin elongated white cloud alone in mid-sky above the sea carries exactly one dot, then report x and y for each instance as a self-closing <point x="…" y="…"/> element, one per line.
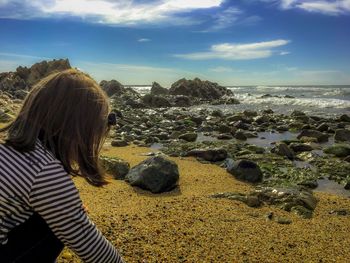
<point x="233" y="51"/>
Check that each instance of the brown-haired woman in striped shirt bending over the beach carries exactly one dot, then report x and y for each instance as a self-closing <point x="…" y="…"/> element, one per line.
<point x="58" y="132"/>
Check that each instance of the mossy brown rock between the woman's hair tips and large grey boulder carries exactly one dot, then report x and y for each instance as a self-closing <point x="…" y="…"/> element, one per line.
<point x="115" y="166"/>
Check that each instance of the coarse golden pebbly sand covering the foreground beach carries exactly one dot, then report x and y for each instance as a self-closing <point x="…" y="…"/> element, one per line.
<point x="186" y="225"/>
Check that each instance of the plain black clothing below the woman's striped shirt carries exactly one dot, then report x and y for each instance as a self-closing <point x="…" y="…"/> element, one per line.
<point x="31" y="242"/>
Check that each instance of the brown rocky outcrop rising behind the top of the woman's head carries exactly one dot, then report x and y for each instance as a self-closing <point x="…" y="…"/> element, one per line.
<point x="24" y="78"/>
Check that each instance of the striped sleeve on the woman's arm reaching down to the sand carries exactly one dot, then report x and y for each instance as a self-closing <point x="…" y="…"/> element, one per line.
<point x="55" y="197"/>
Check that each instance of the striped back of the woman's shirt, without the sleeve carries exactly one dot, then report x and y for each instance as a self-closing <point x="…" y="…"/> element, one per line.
<point x="17" y="175"/>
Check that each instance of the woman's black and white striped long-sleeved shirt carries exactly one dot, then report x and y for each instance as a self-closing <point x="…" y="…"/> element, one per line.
<point x="36" y="181"/>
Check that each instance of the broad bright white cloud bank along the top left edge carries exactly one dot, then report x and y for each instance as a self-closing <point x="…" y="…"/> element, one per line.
<point x="127" y="12"/>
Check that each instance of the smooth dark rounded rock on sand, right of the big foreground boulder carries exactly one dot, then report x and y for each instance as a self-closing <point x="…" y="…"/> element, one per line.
<point x="246" y="170"/>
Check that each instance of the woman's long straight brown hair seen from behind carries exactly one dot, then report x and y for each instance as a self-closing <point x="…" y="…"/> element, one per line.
<point x="68" y="112"/>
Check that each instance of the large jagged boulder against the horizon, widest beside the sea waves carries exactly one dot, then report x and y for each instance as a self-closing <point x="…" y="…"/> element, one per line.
<point x="199" y="89"/>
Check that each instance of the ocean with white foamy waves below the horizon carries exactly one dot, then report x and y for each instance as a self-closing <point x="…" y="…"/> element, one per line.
<point x="313" y="100"/>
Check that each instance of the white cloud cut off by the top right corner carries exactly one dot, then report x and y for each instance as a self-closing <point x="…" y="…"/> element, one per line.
<point x="327" y="7"/>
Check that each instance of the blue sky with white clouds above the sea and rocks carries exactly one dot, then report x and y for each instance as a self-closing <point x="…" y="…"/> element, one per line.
<point x="242" y="42"/>
